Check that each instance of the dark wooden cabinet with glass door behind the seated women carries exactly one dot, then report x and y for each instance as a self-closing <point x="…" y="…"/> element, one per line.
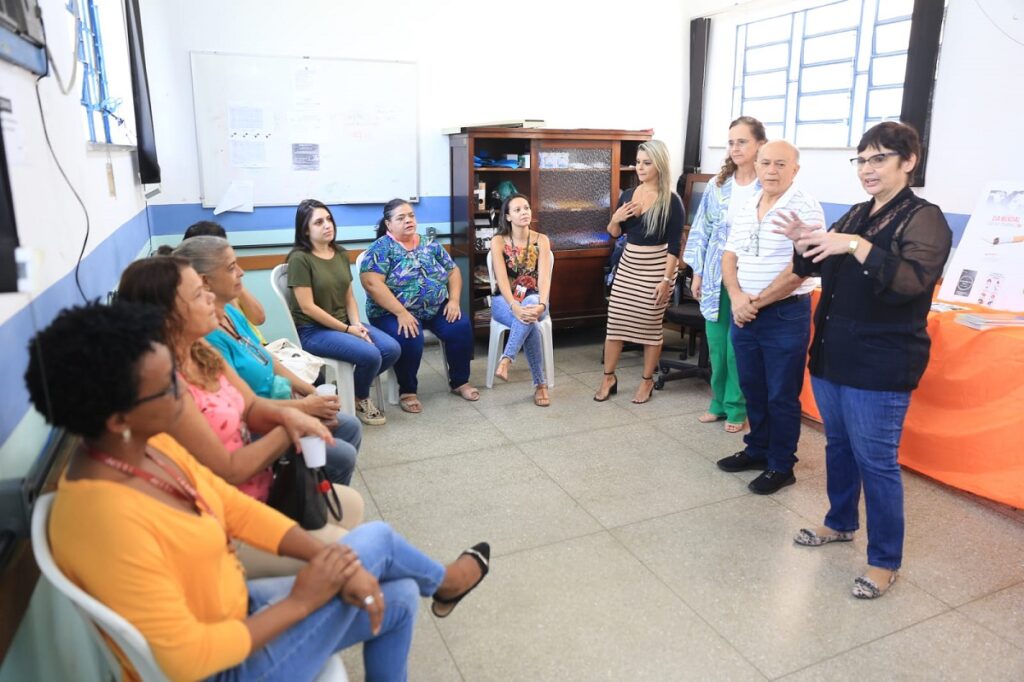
<point x="573" y="179"/>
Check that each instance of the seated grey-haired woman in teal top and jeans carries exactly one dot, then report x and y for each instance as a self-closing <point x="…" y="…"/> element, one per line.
<point x="215" y="260"/>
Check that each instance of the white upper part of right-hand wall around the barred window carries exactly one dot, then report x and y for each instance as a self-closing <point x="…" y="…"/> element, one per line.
<point x="975" y="111"/>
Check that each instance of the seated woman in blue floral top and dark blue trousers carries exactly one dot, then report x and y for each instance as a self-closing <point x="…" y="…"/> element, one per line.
<point x="412" y="285"/>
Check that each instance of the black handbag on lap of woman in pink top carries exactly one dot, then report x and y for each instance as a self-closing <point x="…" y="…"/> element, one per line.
<point x="303" y="494"/>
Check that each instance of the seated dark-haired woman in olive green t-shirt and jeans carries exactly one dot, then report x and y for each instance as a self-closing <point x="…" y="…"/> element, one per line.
<point x="325" y="311"/>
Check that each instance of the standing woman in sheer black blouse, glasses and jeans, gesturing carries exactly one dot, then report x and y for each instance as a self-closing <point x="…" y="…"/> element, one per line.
<point x="879" y="267"/>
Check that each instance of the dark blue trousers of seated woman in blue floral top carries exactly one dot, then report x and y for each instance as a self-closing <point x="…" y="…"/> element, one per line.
<point x="458" y="338"/>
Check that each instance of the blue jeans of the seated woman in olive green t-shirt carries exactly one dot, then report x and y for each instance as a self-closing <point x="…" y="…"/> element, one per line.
<point x="369" y="359"/>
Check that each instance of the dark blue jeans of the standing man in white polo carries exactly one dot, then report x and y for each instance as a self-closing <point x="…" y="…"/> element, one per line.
<point x="772" y="353"/>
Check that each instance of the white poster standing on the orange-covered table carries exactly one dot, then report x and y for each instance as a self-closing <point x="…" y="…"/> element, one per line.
<point x="989" y="266"/>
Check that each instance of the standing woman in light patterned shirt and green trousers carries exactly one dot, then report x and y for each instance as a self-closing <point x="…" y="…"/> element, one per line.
<point x="736" y="184"/>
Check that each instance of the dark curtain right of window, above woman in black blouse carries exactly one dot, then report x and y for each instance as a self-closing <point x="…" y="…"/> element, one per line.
<point x="919" y="84"/>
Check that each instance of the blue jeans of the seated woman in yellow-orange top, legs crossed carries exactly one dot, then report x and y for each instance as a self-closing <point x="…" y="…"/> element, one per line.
<point x="298" y="654"/>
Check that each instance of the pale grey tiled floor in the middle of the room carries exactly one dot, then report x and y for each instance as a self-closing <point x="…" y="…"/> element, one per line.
<point x="622" y="552"/>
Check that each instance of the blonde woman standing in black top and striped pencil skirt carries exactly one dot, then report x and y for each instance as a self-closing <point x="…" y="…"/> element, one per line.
<point x="652" y="217"/>
